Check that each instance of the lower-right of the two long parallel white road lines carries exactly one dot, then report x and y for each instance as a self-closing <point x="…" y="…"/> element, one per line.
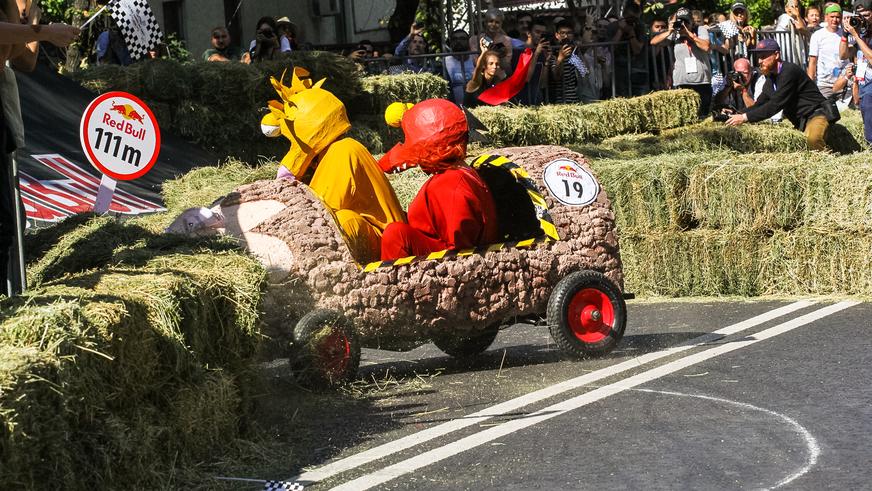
<point x="438" y="454"/>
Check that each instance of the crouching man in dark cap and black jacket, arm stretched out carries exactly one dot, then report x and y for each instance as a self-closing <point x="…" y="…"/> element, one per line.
<point x="790" y="89"/>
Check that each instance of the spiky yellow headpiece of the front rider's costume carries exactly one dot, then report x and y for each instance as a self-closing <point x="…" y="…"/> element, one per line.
<point x="307" y="115"/>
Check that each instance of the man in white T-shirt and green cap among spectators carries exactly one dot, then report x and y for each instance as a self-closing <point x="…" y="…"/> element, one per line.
<point x="823" y="50"/>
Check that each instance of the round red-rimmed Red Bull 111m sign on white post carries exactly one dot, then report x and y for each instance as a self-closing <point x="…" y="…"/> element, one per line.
<point x="121" y="139"/>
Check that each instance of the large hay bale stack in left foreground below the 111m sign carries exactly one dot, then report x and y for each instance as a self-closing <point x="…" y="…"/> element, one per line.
<point x="127" y="359"/>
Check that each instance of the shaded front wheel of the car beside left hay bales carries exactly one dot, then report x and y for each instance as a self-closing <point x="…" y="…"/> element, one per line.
<point x="327" y="348"/>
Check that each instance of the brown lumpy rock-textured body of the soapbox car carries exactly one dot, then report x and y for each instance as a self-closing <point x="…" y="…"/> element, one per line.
<point x="406" y="304"/>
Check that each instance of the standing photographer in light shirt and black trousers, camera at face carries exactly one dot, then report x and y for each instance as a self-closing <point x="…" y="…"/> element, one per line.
<point x="692" y="69"/>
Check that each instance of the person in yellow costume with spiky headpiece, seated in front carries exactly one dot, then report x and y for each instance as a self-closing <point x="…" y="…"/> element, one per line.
<point x="346" y="177"/>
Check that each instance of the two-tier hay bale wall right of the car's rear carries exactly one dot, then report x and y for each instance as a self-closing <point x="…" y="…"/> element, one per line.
<point x="753" y="213"/>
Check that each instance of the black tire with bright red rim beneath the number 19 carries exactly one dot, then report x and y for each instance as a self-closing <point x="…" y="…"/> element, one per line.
<point x="586" y="314"/>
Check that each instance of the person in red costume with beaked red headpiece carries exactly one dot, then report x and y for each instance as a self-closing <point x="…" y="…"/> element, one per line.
<point x="454" y="208"/>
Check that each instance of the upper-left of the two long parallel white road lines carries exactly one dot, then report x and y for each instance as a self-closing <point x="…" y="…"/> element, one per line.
<point x="512" y="405"/>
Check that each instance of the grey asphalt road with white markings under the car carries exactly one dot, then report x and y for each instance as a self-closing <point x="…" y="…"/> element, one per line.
<point x="722" y="395"/>
